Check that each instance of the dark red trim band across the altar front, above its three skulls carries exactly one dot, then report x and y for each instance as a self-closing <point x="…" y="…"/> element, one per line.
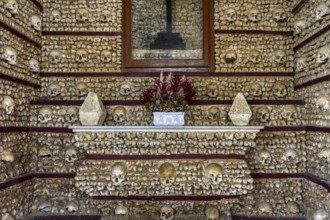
<point x="165" y="157"/>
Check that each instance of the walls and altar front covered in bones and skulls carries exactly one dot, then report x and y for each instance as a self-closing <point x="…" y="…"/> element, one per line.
<point x="272" y="152"/>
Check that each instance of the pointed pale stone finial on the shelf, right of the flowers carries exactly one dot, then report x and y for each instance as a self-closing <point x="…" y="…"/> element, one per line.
<point x="240" y="112"/>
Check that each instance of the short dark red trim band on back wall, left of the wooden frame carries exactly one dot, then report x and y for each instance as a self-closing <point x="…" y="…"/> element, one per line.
<point x="80" y="33"/>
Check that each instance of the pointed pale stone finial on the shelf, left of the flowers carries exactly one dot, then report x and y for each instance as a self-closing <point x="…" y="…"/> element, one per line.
<point x="92" y="112"/>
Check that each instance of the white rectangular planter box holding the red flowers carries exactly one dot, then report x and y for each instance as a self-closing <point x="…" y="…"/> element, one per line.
<point x="169" y="118"/>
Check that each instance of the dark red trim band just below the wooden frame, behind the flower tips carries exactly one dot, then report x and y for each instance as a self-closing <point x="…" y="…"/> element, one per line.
<point x="156" y="74"/>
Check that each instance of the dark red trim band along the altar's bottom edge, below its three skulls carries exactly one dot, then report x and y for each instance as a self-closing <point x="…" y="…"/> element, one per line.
<point x="166" y="198"/>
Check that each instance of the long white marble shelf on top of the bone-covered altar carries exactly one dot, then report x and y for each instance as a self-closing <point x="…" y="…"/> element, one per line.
<point x="166" y="128"/>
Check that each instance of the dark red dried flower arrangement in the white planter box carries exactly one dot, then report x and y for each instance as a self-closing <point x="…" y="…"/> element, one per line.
<point x="169" y="94"/>
